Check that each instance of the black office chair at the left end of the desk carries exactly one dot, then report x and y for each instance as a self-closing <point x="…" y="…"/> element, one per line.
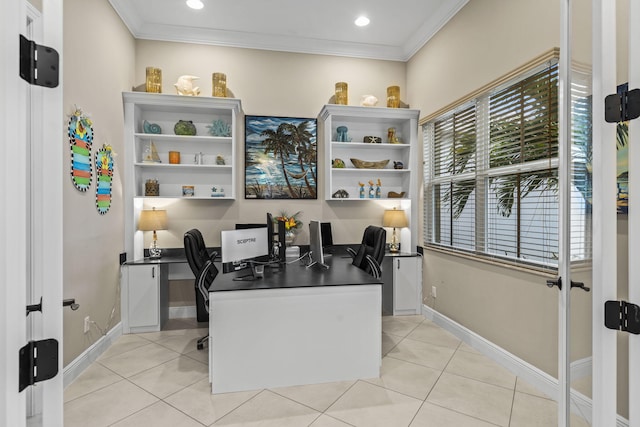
<point x="201" y="263"/>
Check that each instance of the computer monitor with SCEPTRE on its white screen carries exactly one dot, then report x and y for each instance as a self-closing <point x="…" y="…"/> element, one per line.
<point x="242" y="247"/>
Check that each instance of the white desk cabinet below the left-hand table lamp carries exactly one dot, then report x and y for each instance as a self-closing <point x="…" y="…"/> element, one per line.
<point x="144" y="297"/>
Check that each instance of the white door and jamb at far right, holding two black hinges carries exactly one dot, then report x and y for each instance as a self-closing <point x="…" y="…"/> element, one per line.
<point x="609" y="52"/>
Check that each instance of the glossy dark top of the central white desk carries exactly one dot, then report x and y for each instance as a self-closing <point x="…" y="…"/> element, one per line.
<point x="340" y="273"/>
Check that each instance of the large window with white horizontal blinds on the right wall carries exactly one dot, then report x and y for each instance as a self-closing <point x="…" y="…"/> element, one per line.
<point x="491" y="169"/>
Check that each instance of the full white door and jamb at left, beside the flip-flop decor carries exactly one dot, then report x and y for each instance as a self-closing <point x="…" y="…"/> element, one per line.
<point x="31" y="216"/>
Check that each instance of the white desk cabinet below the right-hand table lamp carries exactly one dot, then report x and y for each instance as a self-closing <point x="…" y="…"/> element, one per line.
<point x="402" y="289"/>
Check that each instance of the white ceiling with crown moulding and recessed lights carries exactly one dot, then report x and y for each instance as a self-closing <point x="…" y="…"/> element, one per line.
<point x="398" y="28"/>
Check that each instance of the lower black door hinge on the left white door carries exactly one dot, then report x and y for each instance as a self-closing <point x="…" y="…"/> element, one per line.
<point x="38" y="362"/>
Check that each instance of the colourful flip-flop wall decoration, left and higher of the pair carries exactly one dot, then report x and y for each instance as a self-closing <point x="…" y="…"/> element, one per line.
<point x="80" y="133"/>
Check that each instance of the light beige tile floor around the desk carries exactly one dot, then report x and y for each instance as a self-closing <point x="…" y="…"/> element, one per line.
<point x="428" y="378"/>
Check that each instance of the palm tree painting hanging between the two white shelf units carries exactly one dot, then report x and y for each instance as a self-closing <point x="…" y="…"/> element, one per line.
<point x="281" y="158"/>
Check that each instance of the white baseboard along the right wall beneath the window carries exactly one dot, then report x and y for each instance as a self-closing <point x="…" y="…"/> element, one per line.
<point x="544" y="382"/>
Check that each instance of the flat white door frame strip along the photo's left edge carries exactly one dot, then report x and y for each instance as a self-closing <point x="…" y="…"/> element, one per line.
<point x="12" y="242"/>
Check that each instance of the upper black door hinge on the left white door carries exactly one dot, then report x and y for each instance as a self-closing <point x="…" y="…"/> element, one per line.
<point x="39" y="65"/>
